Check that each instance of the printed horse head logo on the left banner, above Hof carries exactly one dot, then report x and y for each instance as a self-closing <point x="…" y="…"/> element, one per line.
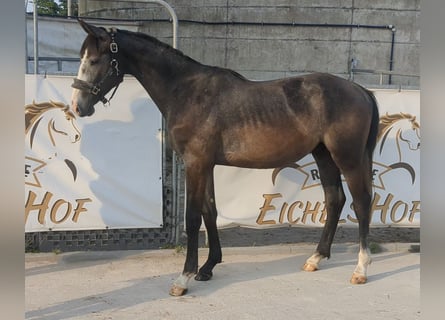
<point x="54" y="120"/>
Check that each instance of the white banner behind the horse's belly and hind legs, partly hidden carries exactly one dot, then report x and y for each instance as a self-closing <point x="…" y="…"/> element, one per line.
<point x="293" y="195"/>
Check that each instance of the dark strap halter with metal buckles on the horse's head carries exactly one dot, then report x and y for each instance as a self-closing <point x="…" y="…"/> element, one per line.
<point x="95" y="88"/>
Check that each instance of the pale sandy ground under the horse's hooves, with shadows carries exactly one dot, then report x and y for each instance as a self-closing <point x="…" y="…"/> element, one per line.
<point x="263" y="282"/>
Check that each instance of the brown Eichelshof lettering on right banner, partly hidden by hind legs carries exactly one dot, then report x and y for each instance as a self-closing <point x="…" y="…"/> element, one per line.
<point x="298" y="212"/>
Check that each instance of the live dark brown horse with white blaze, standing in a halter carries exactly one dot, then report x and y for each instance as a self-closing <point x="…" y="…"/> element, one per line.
<point x="215" y="116"/>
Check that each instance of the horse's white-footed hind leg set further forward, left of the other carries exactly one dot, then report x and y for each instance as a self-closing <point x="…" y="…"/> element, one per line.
<point x="334" y="199"/>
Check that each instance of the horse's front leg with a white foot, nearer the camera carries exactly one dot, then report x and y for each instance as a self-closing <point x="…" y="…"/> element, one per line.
<point x="196" y="186"/>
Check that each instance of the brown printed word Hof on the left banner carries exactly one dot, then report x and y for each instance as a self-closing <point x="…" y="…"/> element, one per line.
<point x="59" y="210"/>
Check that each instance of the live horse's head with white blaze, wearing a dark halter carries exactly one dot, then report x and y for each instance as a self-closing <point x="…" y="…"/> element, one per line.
<point x="98" y="71"/>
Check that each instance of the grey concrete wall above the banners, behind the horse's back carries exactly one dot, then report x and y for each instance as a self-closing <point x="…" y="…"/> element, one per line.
<point x="262" y="51"/>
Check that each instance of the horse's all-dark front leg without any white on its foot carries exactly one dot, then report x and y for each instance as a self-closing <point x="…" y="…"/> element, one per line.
<point x="209" y="214"/>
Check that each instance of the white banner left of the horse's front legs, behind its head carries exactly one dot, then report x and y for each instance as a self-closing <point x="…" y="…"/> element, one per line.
<point x="91" y="173"/>
